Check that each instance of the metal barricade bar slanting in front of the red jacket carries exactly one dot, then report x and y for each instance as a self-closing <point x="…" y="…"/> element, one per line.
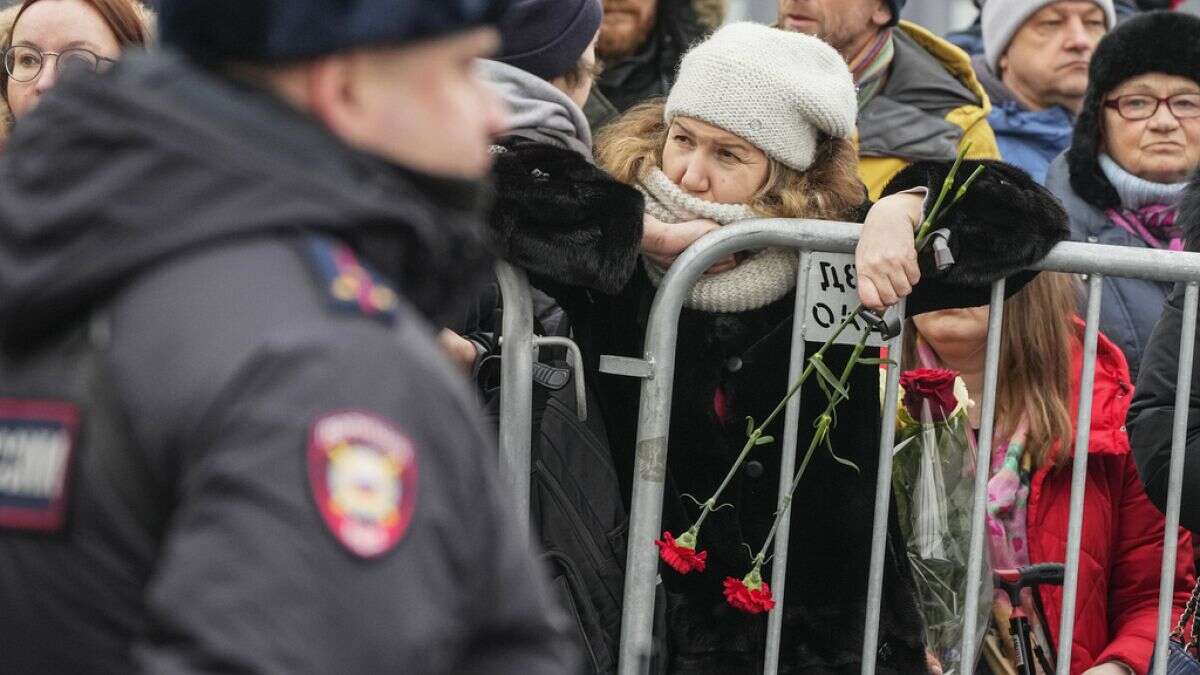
<point x="1079" y="474"/>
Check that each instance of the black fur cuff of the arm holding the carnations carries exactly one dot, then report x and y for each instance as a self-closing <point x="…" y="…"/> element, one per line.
<point x="1005" y="224"/>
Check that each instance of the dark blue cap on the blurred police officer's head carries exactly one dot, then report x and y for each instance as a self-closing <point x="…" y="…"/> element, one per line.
<point x="287" y="31"/>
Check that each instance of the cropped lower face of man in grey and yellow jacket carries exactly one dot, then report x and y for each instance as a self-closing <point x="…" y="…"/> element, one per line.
<point x="845" y="25"/>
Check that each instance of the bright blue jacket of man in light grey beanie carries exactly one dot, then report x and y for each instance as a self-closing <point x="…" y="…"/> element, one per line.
<point x="1030" y="140"/>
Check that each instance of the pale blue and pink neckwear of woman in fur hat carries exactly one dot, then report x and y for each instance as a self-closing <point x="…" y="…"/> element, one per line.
<point x="1148" y="210"/>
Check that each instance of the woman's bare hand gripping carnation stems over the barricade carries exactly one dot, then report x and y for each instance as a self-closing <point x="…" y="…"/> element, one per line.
<point x="887" y="256"/>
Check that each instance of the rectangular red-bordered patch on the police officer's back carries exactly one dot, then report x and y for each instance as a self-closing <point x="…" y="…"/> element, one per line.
<point x="38" y="443"/>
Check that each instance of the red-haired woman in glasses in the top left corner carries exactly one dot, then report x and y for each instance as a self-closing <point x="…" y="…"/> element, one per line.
<point x="51" y="38"/>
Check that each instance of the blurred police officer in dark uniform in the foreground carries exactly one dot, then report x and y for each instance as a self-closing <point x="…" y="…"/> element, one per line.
<point x="227" y="439"/>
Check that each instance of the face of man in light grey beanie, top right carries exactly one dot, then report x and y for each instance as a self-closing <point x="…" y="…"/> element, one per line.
<point x="1047" y="62"/>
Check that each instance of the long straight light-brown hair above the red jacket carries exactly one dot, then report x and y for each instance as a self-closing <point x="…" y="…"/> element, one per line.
<point x="1039" y="336"/>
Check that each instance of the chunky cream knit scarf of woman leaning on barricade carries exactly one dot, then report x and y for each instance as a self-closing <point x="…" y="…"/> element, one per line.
<point x="760" y="280"/>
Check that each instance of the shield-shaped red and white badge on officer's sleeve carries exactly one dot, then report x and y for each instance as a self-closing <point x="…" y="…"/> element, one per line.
<point x="363" y="473"/>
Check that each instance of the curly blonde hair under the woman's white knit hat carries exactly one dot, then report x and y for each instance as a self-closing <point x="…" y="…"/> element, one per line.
<point x="831" y="190"/>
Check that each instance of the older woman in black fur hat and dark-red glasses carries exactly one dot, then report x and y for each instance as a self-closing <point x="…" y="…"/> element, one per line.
<point x="1137" y="142"/>
